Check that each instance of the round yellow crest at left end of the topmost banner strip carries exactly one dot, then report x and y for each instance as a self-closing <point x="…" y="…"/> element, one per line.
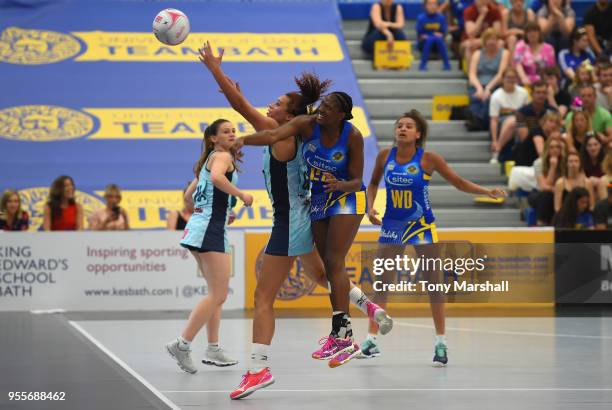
<point x="24" y="46"/>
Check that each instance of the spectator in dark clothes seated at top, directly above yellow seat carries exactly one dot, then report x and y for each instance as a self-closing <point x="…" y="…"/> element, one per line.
<point x="386" y="23"/>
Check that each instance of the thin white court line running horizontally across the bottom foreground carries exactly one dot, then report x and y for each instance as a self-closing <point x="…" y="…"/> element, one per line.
<point x="510" y="389"/>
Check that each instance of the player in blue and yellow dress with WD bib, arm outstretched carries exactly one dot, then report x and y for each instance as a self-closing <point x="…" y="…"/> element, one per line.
<point x="408" y="220"/>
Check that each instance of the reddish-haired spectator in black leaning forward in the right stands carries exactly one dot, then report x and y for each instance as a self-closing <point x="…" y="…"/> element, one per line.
<point x="532" y="146"/>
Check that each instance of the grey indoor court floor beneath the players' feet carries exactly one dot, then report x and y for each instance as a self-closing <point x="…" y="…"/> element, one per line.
<point x="495" y="362"/>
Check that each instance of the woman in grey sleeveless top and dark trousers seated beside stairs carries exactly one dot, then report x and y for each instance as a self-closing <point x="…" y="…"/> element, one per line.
<point x="485" y="74"/>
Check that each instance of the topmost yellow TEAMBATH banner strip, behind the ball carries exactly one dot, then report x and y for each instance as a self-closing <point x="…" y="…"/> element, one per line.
<point x="26" y="46"/>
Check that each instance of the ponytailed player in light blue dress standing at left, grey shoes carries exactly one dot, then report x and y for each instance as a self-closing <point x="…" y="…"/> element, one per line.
<point x="210" y="194"/>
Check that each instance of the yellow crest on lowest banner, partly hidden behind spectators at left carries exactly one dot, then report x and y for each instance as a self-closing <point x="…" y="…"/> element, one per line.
<point x="33" y="201"/>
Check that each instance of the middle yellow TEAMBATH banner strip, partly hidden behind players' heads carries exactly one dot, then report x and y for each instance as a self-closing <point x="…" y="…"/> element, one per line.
<point x="50" y="123"/>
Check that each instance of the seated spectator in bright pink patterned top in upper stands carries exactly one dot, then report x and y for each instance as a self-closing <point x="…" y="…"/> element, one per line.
<point x="532" y="54"/>
